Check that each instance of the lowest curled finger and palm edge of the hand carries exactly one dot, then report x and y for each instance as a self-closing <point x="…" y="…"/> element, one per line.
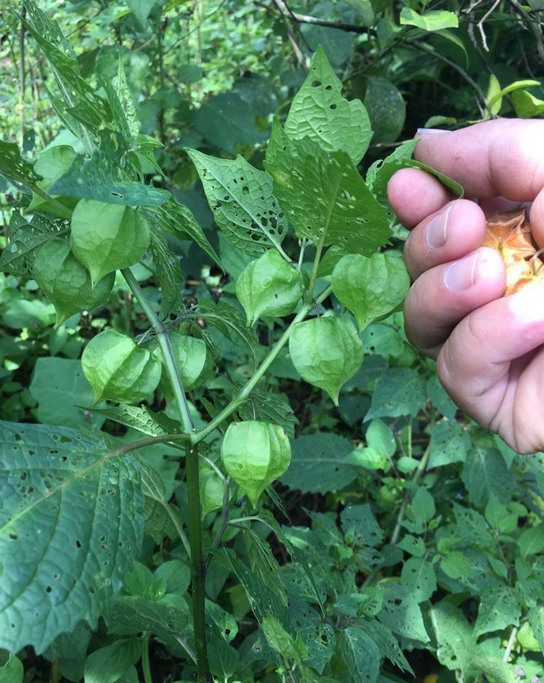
<point x="489" y="368"/>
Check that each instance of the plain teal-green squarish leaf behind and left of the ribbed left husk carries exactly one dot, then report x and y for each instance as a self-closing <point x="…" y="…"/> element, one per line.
<point x="60" y="388"/>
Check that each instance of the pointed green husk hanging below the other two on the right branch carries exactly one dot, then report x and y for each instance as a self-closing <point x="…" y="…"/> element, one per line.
<point x="326" y="352"/>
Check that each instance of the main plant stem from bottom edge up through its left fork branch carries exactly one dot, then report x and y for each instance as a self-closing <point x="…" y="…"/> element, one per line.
<point x="198" y="572"/>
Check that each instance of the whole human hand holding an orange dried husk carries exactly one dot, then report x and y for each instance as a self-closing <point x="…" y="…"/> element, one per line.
<point x="488" y="348"/>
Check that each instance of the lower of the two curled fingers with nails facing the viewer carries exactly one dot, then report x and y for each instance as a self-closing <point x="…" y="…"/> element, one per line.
<point x="432" y="309"/>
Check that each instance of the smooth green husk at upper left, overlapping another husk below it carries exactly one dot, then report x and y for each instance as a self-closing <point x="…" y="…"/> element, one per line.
<point x="107" y="237"/>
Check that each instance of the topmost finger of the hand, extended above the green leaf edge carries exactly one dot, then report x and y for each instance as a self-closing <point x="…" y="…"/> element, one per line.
<point x="501" y="157"/>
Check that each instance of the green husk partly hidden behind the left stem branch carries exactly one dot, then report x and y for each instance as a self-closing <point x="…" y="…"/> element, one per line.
<point x="194" y="361"/>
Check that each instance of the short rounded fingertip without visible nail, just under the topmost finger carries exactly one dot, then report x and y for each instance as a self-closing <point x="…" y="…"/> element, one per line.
<point x="414" y="194"/>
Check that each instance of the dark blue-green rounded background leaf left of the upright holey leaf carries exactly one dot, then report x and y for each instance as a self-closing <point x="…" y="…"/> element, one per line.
<point x="226" y="121"/>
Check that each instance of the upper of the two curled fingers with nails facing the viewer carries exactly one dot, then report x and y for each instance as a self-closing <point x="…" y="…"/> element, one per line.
<point x="464" y="231"/>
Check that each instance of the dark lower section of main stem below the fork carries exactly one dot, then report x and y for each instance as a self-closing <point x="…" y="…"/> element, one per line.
<point x="198" y="569"/>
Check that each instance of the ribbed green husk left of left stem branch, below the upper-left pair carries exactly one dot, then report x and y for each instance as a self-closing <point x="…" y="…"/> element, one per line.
<point x="118" y="370"/>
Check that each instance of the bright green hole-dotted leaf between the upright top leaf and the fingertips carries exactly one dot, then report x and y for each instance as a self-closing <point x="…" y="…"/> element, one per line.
<point x="324" y="196"/>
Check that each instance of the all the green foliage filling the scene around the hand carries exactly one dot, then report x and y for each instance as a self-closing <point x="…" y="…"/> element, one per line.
<point x="401" y="539"/>
